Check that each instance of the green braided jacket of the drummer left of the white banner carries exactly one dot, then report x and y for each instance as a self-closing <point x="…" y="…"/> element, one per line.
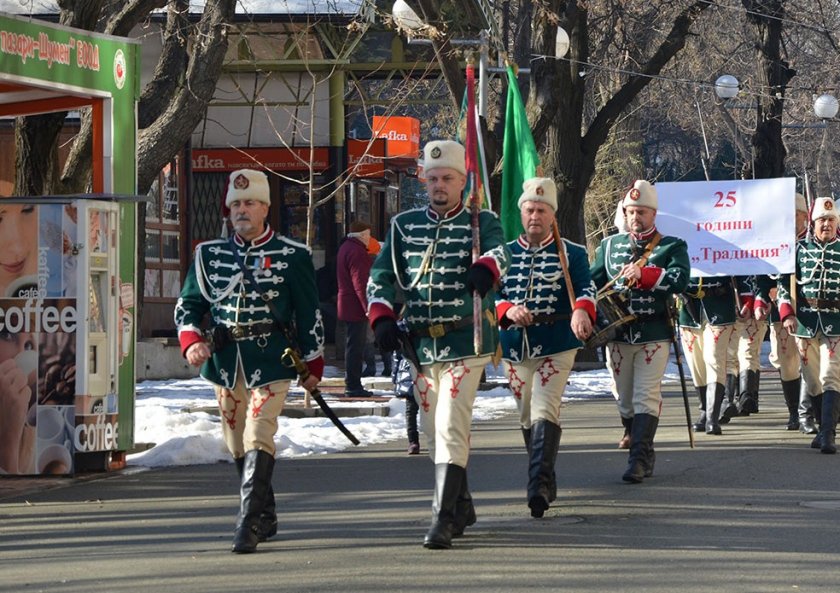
<point x="665" y="274"/>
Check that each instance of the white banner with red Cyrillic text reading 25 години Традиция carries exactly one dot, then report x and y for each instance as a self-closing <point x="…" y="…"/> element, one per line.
<point x="734" y="227"/>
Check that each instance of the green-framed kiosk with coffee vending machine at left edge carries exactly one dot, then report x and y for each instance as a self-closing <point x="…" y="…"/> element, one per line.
<point x="68" y="263"/>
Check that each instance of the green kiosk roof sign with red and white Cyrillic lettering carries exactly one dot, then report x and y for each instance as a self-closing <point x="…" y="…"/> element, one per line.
<point x="61" y="55"/>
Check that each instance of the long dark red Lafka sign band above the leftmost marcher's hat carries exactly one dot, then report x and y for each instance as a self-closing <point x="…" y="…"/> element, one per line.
<point x="206" y="160"/>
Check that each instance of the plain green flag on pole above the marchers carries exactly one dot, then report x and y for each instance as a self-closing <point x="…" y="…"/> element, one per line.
<point x="519" y="158"/>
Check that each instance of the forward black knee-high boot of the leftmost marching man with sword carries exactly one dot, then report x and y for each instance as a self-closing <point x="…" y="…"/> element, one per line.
<point x="257" y="468"/>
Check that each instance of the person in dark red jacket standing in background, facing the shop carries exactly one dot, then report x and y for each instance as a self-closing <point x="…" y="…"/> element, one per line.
<point x="352" y="270"/>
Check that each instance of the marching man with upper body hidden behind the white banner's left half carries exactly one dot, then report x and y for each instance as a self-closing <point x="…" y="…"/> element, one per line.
<point x="707" y="321"/>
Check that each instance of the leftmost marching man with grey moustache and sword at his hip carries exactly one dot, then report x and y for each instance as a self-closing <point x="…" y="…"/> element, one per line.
<point x="248" y="341"/>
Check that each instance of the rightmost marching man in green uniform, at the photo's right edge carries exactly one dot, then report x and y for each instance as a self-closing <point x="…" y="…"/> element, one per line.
<point x="813" y="314"/>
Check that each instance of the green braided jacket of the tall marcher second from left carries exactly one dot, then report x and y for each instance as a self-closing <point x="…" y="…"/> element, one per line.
<point x="426" y="256"/>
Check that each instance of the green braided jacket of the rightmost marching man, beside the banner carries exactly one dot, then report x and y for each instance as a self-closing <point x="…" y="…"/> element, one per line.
<point x="818" y="295"/>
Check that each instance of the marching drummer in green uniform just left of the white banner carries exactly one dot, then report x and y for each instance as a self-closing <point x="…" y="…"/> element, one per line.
<point x="648" y="269"/>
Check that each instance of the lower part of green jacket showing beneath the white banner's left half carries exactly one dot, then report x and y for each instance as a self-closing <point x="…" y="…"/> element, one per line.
<point x="712" y="299"/>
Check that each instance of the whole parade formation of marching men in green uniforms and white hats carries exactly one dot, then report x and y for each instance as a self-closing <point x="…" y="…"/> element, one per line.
<point x="531" y="304"/>
